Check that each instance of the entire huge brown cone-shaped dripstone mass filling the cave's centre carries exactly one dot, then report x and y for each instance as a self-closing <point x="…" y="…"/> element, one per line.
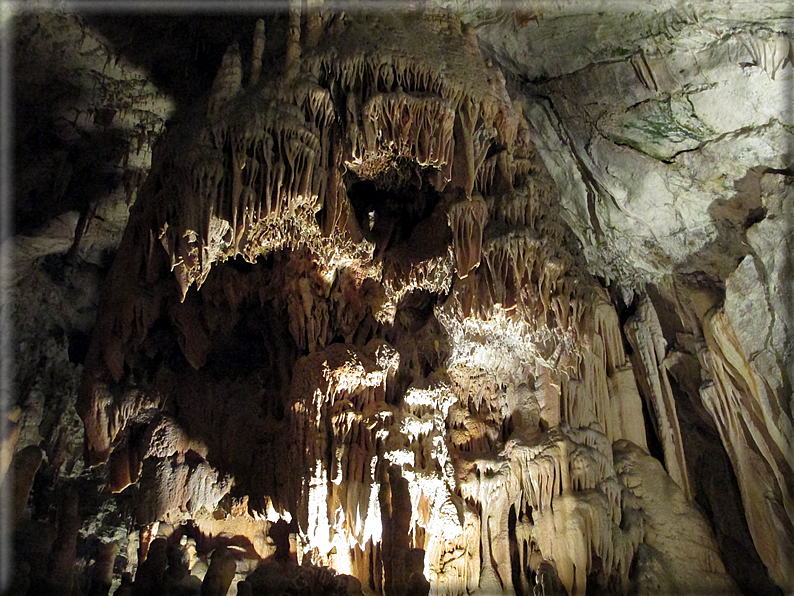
<point x="409" y="467"/>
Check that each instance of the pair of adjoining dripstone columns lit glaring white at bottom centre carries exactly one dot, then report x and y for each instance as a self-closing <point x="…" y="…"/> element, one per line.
<point x="355" y="444"/>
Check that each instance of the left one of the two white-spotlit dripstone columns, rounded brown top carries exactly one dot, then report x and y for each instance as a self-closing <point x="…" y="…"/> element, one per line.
<point x="338" y="430"/>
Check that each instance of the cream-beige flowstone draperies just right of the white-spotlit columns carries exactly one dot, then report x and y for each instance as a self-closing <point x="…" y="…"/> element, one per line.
<point x="540" y="452"/>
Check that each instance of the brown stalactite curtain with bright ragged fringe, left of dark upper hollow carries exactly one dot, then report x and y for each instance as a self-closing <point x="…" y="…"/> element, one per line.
<point x="254" y="177"/>
